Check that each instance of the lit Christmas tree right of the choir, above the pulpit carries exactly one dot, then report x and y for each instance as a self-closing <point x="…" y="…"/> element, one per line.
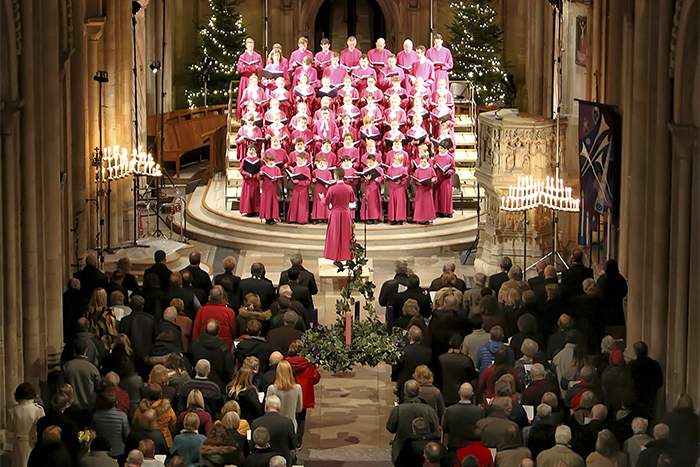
<point x="476" y="47"/>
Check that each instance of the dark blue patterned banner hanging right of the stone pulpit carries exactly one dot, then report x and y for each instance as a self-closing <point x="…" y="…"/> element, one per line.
<point x="598" y="126"/>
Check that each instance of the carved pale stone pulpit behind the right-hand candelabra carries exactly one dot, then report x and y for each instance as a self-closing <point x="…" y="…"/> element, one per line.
<point x="513" y="144"/>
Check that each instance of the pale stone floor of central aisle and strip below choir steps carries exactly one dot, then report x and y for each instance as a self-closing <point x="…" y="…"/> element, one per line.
<point x="351" y="408"/>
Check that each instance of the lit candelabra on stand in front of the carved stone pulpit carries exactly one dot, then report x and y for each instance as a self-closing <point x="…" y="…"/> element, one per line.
<point x="530" y="194"/>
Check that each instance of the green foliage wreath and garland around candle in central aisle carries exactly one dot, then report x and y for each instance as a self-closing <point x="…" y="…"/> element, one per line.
<point x="371" y="343"/>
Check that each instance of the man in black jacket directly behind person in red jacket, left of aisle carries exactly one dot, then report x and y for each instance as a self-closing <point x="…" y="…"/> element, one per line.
<point x="209" y="346"/>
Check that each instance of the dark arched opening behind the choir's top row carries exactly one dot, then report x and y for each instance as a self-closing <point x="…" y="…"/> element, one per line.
<point x="338" y="19"/>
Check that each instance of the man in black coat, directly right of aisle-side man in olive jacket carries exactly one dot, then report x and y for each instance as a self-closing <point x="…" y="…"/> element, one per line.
<point x="459" y="421"/>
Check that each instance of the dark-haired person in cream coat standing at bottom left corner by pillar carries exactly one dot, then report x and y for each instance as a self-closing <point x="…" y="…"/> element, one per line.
<point x="22" y="420"/>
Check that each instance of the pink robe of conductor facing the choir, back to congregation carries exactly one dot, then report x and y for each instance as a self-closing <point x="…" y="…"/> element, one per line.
<point x="339" y="232"/>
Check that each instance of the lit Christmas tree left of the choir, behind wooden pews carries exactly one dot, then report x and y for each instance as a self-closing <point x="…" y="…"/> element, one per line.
<point x="222" y="40"/>
